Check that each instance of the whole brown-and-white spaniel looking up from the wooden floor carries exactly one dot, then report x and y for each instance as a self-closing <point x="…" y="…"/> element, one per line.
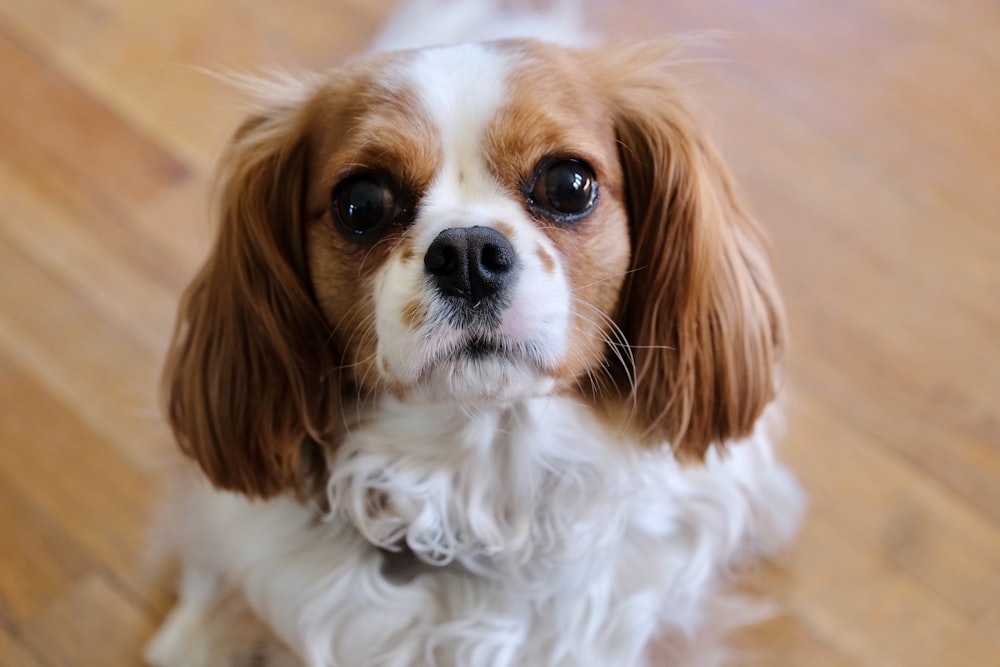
<point x="479" y="371"/>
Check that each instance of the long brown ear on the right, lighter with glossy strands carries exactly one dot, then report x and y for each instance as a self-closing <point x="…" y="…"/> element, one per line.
<point x="700" y="308"/>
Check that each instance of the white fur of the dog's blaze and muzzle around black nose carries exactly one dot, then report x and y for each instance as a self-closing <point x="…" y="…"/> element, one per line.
<point x="461" y="89"/>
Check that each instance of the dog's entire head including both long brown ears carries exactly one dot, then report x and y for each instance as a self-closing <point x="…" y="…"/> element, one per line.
<point x="474" y="224"/>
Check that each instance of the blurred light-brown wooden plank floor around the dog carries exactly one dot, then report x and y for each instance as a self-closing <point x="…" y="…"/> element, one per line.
<point x="865" y="133"/>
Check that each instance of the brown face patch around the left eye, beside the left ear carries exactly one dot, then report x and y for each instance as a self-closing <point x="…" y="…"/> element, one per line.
<point x="362" y="126"/>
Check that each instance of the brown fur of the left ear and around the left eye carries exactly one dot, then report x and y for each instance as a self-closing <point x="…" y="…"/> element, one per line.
<point x="255" y="372"/>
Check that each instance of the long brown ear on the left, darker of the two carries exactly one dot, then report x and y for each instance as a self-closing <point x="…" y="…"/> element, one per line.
<point x="244" y="379"/>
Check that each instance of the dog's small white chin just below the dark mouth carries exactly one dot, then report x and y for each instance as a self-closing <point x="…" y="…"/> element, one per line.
<point x="481" y="371"/>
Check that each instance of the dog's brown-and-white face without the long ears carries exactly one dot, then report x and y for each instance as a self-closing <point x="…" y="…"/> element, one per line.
<point x="467" y="233"/>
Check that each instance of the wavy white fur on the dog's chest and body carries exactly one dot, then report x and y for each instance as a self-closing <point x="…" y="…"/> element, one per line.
<point x="552" y="548"/>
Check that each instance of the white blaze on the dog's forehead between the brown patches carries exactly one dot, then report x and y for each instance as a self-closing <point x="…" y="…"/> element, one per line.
<point x="461" y="89"/>
